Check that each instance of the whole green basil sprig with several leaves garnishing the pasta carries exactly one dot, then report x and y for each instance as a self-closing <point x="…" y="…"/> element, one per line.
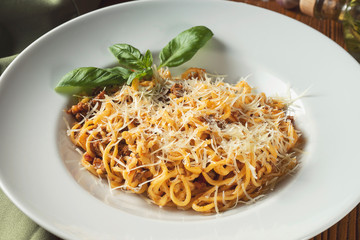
<point x="134" y="64"/>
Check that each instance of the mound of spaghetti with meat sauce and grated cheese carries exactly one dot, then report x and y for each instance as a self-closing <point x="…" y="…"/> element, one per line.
<point x="191" y="142"/>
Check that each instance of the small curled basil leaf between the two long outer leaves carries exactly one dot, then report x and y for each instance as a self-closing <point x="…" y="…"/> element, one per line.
<point x="128" y="56"/>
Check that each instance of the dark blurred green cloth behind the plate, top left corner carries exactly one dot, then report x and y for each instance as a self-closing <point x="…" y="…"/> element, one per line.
<point x="23" y="21"/>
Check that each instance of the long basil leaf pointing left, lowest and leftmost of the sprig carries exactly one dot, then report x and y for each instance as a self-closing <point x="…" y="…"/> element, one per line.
<point x="86" y="78"/>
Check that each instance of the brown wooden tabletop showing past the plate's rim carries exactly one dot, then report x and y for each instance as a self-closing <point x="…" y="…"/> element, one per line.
<point x="347" y="228"/>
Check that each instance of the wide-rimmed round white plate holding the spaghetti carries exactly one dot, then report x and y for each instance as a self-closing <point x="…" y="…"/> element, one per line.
<point x="39" y="169"/>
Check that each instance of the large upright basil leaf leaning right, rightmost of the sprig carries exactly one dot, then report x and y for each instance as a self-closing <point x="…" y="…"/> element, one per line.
<point x="184" y="46"/>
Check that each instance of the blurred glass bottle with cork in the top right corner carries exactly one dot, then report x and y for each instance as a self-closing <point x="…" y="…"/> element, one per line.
<point x="346" y="11"/>
